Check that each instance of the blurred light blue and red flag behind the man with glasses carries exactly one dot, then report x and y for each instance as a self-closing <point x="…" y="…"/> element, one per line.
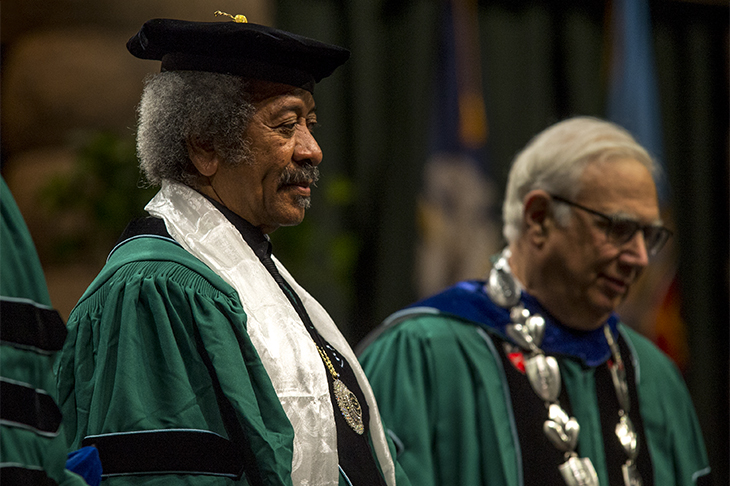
<point x="633" y="102"/>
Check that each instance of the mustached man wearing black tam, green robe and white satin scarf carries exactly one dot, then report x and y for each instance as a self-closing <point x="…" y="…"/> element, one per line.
<point x="195" y="357"/>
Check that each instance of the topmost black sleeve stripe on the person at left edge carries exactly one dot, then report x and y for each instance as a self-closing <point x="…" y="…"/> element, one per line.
<point x="26" y="324"/>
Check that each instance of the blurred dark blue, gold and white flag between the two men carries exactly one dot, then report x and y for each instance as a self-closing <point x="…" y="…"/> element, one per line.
<point x="457" y="220"/>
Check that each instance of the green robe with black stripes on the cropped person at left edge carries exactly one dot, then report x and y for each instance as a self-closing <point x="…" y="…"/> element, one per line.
<point x="30" y="453"/>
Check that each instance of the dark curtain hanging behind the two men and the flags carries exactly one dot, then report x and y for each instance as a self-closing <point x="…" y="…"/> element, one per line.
<point x="542" y="61"/>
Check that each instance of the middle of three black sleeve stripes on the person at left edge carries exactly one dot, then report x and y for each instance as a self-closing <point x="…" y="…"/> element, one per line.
<point x="27" y="407"/>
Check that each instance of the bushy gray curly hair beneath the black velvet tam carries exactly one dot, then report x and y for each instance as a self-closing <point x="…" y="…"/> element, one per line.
<point x="181" y="106"/>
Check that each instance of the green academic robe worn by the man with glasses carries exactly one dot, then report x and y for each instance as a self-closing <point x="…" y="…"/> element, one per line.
<point x="441" y="388"/>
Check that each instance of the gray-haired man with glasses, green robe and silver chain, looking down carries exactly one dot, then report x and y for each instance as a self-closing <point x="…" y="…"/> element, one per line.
<point x="529" y="377"/>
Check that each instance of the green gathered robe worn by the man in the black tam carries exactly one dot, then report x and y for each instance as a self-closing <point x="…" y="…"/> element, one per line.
<point x="150" y="342"/>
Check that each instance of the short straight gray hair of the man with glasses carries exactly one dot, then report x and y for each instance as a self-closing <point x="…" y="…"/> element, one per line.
<point x="554" y="161"/>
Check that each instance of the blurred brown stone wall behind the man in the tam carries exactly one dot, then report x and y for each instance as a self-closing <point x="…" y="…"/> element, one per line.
<point x="66" y="74"/>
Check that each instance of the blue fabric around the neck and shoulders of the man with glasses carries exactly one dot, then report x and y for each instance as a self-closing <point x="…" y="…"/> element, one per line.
<point x="469" y="301"/>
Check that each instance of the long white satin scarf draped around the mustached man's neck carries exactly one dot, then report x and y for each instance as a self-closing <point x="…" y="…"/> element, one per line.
<point x="286" y="349"/>
